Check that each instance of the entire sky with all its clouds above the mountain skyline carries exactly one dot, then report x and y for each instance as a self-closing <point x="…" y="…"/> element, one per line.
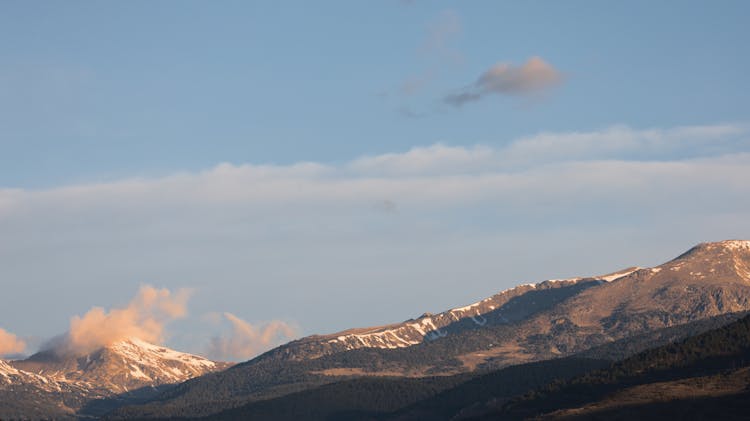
<point x="225" y="176"/>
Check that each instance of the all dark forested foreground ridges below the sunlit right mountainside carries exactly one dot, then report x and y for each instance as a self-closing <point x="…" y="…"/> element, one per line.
<point x="705" y="369"/>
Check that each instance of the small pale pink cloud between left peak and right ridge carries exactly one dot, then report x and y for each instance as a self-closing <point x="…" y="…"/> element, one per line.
<point x="248" y="340"/>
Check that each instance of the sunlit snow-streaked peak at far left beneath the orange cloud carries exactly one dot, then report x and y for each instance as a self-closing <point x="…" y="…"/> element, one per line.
<point x="61" y="385"/>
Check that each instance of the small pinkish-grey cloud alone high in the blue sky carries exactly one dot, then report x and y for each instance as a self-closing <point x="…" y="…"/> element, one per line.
<point x="533" y="77"/>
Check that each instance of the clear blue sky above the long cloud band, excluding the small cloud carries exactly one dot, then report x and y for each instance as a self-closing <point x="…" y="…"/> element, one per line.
<point x="94" y="91"/>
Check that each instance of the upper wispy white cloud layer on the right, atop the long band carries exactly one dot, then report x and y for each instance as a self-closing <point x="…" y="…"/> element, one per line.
<point x="613" y="143"/>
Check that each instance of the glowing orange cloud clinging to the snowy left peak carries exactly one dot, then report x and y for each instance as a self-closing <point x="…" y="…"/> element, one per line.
<point x="144" y="318"/>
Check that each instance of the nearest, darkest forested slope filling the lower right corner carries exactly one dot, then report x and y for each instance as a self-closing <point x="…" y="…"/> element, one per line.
<point x="710" y="369"/>
